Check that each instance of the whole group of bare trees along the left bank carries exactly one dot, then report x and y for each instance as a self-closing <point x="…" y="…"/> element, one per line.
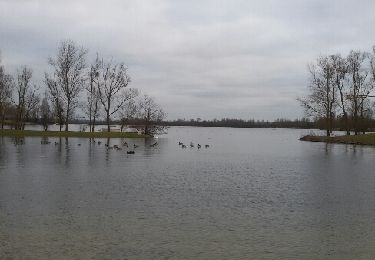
<point x="100" y="90"/>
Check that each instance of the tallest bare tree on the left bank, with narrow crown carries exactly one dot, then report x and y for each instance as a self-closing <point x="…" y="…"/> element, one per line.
<point x="69" y="67"/>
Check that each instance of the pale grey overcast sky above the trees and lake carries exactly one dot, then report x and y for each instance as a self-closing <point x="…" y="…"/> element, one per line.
<point x="198" y="58"/>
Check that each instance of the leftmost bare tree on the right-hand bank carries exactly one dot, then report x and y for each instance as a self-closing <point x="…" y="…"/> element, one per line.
<point x="321" y="102"/>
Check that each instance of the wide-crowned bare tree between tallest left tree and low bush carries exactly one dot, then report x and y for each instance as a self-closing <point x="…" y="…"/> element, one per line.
<point x="113" y="80"/>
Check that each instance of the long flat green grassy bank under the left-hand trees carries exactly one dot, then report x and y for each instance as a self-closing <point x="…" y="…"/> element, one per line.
<point x="31" y="133"/>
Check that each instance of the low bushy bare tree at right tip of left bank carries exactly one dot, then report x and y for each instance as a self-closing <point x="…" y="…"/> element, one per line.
<point x="151" y="115"/>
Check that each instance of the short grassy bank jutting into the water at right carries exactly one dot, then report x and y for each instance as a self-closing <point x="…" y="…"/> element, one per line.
<point x="366" y="139"/>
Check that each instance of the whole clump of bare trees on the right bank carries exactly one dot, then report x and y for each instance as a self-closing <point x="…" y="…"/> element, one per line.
<point x="340" y="92"/>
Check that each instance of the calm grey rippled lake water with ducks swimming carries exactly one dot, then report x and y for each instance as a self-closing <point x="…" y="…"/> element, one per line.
<point x="253" y="194"/>
